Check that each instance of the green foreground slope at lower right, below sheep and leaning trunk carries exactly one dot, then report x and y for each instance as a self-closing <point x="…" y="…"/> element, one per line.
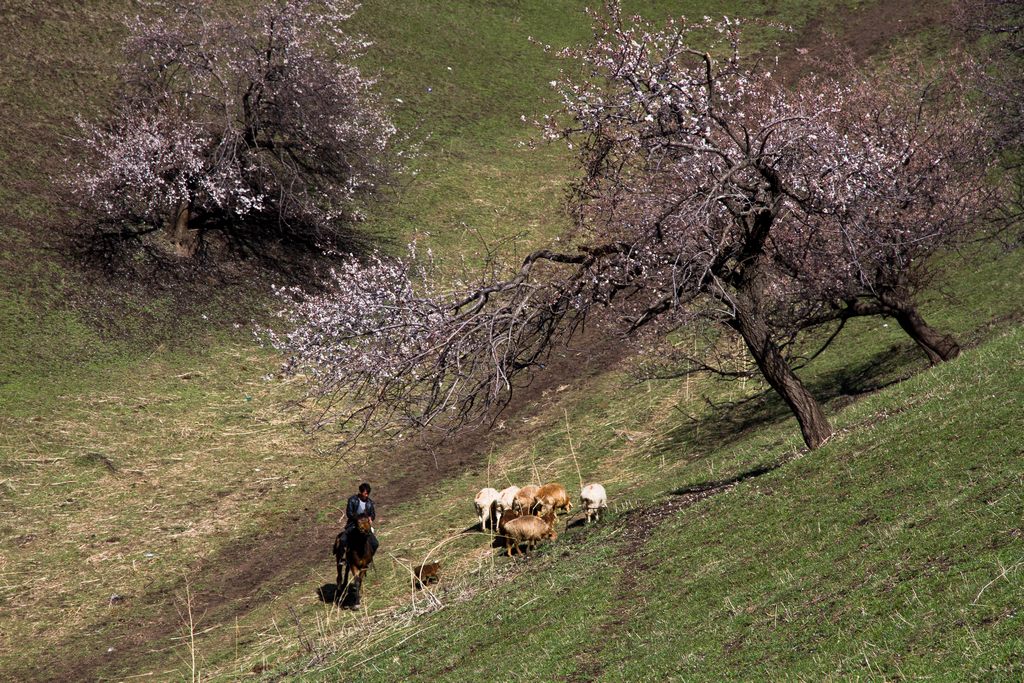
<point x="893" y="552"/>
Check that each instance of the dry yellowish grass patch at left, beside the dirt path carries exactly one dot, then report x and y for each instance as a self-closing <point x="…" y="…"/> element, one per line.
<point x="119" y="490"/>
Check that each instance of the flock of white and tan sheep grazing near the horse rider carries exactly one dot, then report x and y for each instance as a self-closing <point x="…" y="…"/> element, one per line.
<point x="529" y="515"/>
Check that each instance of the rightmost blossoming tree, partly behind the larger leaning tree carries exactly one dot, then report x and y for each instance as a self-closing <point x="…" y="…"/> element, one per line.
<point x="905" y="174"/>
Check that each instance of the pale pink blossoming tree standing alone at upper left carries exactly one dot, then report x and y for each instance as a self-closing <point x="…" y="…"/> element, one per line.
<point x="238" y="124"/>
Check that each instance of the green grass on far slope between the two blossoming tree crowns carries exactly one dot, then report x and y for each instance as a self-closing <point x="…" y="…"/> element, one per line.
<point x="466" y="74"/>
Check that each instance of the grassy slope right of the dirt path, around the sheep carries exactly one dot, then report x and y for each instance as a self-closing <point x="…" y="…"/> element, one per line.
<point x="731" y="552"/>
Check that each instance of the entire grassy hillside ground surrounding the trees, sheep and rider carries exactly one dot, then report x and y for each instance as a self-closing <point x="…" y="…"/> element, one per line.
<point x="150" y="467"/>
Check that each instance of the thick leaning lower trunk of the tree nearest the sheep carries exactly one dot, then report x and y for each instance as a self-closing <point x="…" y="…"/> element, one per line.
<point x="814" y="423"/>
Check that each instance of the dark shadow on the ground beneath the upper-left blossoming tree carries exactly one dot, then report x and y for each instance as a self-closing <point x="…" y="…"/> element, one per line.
<point x="137" y="276"/>
